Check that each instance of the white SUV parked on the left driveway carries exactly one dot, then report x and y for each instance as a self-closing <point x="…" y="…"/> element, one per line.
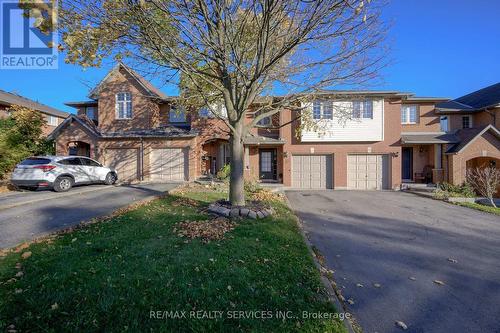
<point x="61" y="172"/>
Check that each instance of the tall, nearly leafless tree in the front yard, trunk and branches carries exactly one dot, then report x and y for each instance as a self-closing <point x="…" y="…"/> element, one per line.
<point x="231" y="51"/>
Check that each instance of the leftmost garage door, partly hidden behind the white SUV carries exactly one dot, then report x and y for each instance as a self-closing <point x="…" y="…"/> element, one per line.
<point x="124" y="161"/>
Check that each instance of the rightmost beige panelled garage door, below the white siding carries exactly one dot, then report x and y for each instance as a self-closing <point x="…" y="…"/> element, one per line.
<point x="367" y="172"/>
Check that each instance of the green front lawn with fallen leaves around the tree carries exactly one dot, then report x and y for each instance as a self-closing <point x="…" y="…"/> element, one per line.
<point x="111" y="275"/>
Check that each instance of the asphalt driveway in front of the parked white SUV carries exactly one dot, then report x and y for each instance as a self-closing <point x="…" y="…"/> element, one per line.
<point x="26" y="215"/>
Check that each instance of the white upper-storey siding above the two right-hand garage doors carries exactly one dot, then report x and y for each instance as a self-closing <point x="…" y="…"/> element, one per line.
<point x="343" y="129"/>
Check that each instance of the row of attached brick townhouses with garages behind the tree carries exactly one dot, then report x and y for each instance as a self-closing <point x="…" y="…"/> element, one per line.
<point x="389" y="137"/>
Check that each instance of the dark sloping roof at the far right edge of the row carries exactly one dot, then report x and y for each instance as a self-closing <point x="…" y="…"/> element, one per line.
<point x="475" y="101"/>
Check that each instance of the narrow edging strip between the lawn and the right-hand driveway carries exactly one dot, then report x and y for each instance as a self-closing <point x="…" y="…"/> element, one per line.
<point x="327" y="281"/>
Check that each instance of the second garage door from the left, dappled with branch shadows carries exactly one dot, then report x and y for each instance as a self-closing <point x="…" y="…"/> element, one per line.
<point x="168" y="164"/>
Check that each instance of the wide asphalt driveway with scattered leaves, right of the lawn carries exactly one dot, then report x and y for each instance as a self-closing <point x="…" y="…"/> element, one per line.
<point x="402" y="243"/>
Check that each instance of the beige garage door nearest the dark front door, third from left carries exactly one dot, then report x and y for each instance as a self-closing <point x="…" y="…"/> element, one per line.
<point x="312" y="171"/>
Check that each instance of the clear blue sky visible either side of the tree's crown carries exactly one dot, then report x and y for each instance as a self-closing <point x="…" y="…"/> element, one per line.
<point x="443" y="48"/>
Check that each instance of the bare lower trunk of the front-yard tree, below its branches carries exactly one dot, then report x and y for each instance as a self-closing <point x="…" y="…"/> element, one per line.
<point x="236" y="181"/>
